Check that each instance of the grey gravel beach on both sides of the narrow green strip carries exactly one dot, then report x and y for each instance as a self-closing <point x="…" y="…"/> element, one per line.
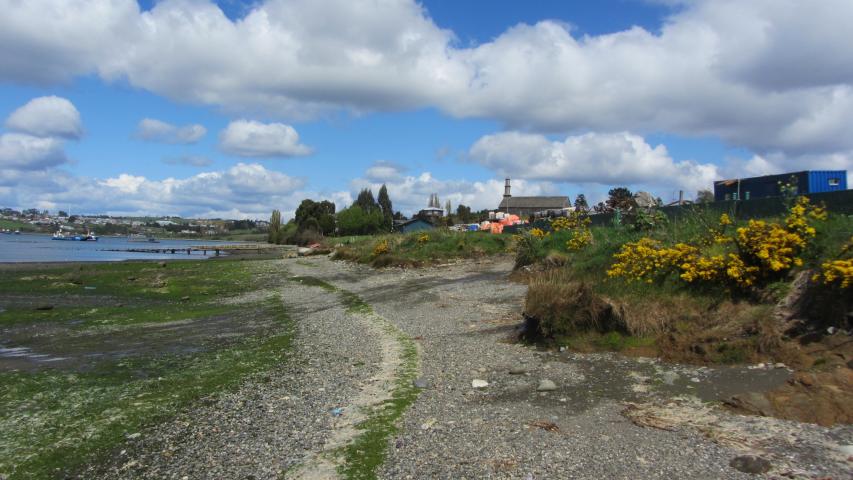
<point x="461" y="317"/>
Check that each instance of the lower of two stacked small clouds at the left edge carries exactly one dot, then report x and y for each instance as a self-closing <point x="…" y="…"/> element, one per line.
<point x="26" y="152"/>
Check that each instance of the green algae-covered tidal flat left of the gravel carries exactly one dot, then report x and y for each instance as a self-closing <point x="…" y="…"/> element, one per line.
<point x="142" y="341"/>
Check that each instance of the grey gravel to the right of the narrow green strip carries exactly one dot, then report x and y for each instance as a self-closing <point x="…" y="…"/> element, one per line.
<point x="461" y="316"/>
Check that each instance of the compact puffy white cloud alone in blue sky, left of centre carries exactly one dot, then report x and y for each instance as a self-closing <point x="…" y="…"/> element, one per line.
<point x="254" y="139"/>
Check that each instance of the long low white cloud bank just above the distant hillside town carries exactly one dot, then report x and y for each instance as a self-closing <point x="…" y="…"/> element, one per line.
<point x="242" y="191"/>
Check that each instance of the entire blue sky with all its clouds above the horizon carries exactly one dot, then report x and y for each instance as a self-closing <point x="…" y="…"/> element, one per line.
<point x="231" y="109"/>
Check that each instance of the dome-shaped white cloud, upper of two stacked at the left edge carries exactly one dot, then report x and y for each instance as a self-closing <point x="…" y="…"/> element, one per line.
<point x="47" y="117"/>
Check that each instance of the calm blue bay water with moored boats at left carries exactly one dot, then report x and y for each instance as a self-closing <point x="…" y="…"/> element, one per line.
<point x="41" y="248"/>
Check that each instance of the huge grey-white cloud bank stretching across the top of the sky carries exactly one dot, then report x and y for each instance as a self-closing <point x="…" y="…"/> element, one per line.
<point x="756" y="74"/>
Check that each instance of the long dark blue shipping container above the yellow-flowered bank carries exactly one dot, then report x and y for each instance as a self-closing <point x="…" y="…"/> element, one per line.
<point x="805" y="182"/>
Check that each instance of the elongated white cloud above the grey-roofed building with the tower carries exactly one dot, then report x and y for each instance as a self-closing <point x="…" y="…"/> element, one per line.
<point x="608" y="159"/>
